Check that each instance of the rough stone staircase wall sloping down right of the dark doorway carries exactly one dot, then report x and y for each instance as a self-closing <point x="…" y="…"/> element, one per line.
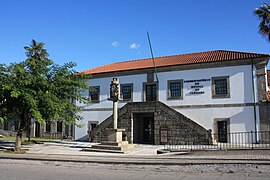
<point x="180" y="129"/>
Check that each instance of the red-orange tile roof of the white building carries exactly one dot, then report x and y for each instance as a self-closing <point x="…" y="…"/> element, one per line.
<point x="184" y="59"/>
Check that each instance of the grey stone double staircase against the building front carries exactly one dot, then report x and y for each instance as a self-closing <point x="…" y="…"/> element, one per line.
<point x="180" y="128"/>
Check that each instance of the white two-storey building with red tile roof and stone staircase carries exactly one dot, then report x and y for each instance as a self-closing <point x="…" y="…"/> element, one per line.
<point x="224" y="91"/>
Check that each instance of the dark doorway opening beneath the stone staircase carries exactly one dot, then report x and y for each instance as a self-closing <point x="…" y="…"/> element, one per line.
<point x="144" y="128"/>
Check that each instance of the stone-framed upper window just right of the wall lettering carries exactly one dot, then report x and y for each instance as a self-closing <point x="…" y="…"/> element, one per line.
<point x="220" y="87"/>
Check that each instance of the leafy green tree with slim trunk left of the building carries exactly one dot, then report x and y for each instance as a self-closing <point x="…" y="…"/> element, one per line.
<point x="37" y="88"/>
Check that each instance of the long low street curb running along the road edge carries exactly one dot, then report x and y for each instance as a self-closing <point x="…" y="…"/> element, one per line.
<point x="139" y="160"/>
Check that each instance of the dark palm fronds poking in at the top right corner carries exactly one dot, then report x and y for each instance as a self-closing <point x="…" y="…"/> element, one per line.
<point x="263" y="13"/>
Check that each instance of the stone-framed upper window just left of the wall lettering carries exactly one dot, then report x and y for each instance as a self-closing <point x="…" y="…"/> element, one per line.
<point x="175" y="89"/>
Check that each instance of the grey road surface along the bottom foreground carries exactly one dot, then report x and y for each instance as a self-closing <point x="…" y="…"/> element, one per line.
<point x="45" y="170"/>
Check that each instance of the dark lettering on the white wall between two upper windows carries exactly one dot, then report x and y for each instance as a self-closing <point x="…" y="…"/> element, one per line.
<point x="196" y="86"/>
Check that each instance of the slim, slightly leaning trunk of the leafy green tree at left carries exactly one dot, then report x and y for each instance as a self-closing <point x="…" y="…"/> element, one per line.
<point x="18" y="142"/>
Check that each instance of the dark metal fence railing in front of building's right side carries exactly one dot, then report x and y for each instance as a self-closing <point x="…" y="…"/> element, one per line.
<point x="236" y="140"/>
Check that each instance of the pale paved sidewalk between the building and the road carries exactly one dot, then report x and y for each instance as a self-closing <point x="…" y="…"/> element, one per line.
<point x="146" y="154"/>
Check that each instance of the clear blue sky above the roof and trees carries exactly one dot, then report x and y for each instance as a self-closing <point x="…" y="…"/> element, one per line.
<point x="98" y="32"/>
